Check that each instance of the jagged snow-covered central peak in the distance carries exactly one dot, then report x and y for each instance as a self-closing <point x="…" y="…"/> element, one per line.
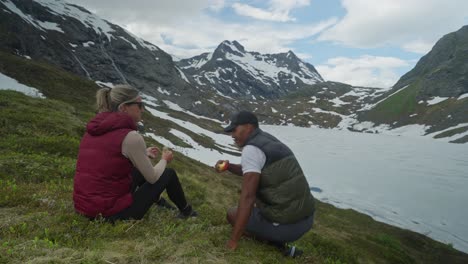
<point x="233" y="71"/>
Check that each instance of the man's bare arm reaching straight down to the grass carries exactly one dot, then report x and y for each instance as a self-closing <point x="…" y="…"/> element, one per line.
<point x="247" y="199"/>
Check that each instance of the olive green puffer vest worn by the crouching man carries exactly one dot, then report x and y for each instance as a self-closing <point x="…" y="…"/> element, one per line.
<point x="283" y="194"/>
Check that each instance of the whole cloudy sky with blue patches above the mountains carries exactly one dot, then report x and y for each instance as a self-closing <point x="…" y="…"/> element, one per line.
<point x="360" y="42"/>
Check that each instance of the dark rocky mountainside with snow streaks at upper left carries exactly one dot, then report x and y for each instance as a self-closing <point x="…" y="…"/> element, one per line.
<point x="80" y="42"/>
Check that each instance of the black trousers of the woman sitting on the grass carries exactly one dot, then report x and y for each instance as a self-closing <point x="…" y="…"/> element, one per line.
<point x="146" y="194"/>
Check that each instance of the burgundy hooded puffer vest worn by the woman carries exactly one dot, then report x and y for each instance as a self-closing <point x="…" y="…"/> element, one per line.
<point x="103" y="179"/>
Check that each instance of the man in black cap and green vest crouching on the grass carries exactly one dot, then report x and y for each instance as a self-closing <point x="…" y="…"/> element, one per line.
<point x="275" y="204"/>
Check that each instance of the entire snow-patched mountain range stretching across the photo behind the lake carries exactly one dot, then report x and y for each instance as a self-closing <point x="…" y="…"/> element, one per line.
<point x="280" y="88"/>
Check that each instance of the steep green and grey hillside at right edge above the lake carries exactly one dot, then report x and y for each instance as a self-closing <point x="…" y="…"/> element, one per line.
<point x="434" y="94"/>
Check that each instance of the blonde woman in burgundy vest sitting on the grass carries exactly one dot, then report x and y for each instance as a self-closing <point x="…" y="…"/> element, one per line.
<point x="114" y="175"/>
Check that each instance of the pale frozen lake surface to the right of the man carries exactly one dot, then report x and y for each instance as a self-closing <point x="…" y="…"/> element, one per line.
<point x="416" y="183"/>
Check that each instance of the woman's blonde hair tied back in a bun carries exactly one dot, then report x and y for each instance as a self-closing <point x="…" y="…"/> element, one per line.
<point x="110" y="99"/>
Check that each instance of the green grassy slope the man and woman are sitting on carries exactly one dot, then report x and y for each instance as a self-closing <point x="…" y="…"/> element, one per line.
<point x="38" y="144"/>
